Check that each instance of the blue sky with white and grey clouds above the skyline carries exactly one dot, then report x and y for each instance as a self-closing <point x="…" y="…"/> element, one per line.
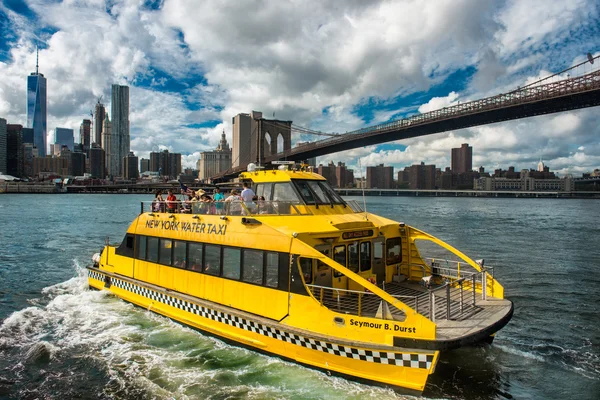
<point x="328" y="65"/>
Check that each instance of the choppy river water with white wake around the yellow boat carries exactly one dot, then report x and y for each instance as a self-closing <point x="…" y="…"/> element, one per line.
<point x="60" y="340"/>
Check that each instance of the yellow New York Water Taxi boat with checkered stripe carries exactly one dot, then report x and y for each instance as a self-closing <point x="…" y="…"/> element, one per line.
<point x="309" y="277"/>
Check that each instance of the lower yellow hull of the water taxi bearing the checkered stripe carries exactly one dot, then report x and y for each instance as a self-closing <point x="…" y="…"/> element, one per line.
<point x="384" y="365"/>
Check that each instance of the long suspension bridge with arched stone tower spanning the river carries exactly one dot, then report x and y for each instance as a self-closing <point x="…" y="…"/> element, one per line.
<point x="573" y="88"/>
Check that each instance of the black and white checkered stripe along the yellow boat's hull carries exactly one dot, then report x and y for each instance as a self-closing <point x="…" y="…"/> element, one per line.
<point x="412" y="360"/>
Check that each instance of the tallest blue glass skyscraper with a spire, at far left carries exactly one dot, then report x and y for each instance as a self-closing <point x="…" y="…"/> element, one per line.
<point x="36" y="109"/>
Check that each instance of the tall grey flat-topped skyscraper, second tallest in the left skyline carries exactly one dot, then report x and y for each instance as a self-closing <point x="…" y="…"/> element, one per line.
<point x="119" y="146"/>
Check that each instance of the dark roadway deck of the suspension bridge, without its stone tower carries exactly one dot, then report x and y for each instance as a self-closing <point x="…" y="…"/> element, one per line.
<point x="563" y="95"/>
